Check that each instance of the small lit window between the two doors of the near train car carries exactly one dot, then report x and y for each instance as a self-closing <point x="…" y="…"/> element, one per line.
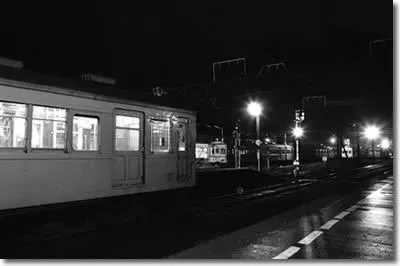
<point x="160" y="136"/>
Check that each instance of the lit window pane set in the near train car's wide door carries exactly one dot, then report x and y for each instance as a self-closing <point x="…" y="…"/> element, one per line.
<point x="127" y="133"/>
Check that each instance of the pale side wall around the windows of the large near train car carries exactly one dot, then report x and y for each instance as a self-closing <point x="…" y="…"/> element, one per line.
<point x="88" y="166"/>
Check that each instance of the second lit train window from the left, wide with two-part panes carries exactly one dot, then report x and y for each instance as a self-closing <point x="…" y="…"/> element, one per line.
<point x="48" y="127"/>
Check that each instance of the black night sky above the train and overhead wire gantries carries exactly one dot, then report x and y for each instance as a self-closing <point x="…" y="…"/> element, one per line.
<point x="324" y="44"/>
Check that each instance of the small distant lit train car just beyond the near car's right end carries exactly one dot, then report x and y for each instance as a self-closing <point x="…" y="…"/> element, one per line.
<point x="211" y="155"/>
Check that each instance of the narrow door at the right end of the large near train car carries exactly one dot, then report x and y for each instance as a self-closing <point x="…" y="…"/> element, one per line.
<point x="182" y="135"/>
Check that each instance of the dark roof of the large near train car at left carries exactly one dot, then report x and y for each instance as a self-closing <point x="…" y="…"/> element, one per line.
<point x="73" y="87"/>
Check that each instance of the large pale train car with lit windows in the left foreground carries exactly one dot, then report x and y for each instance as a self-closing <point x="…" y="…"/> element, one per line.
<point x="59" y="144"/>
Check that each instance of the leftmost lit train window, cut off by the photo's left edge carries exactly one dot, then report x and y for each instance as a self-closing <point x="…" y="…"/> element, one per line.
<point x="12" y="125"/>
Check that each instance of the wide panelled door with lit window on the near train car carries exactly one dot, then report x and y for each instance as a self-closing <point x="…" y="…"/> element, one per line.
<point x="128" y="148"/>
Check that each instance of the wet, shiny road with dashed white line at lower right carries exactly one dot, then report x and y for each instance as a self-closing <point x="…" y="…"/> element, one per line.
<point x="357" y="226"/>
